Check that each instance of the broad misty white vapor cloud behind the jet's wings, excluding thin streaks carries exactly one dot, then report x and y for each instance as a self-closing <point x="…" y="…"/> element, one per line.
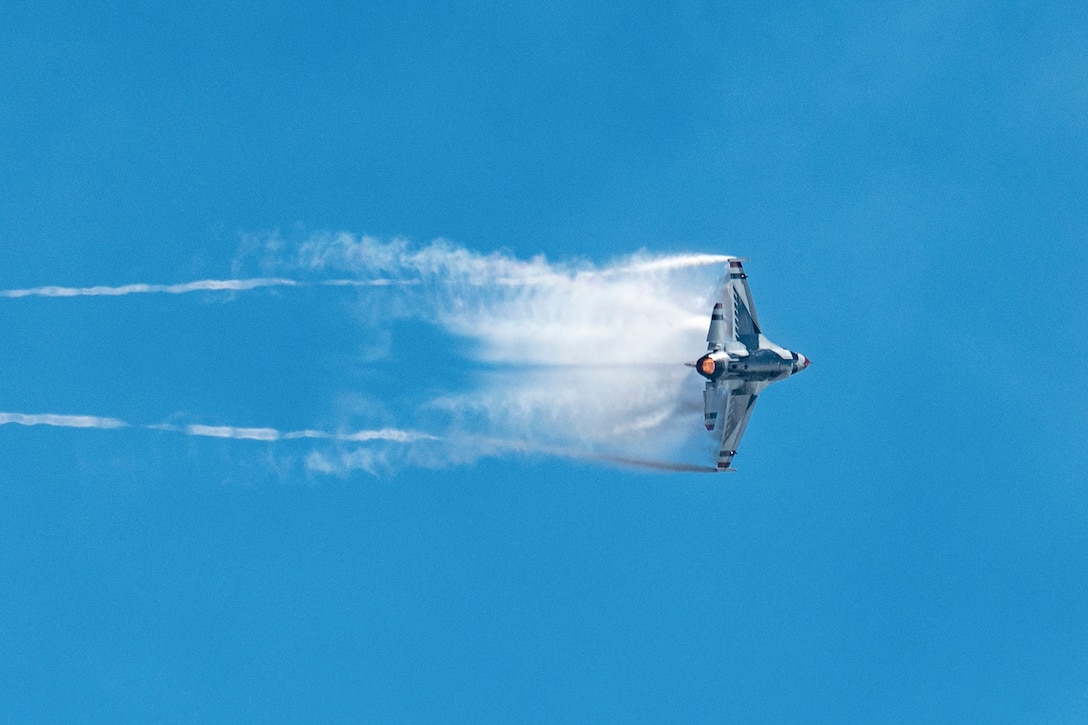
<point x="583" y="361"/>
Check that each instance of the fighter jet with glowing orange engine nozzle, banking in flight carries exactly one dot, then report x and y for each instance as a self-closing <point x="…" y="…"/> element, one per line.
<point x="740" y="364"/>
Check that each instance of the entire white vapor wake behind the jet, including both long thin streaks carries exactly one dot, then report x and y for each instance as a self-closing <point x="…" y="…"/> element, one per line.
<point x="571" y="360"/>
